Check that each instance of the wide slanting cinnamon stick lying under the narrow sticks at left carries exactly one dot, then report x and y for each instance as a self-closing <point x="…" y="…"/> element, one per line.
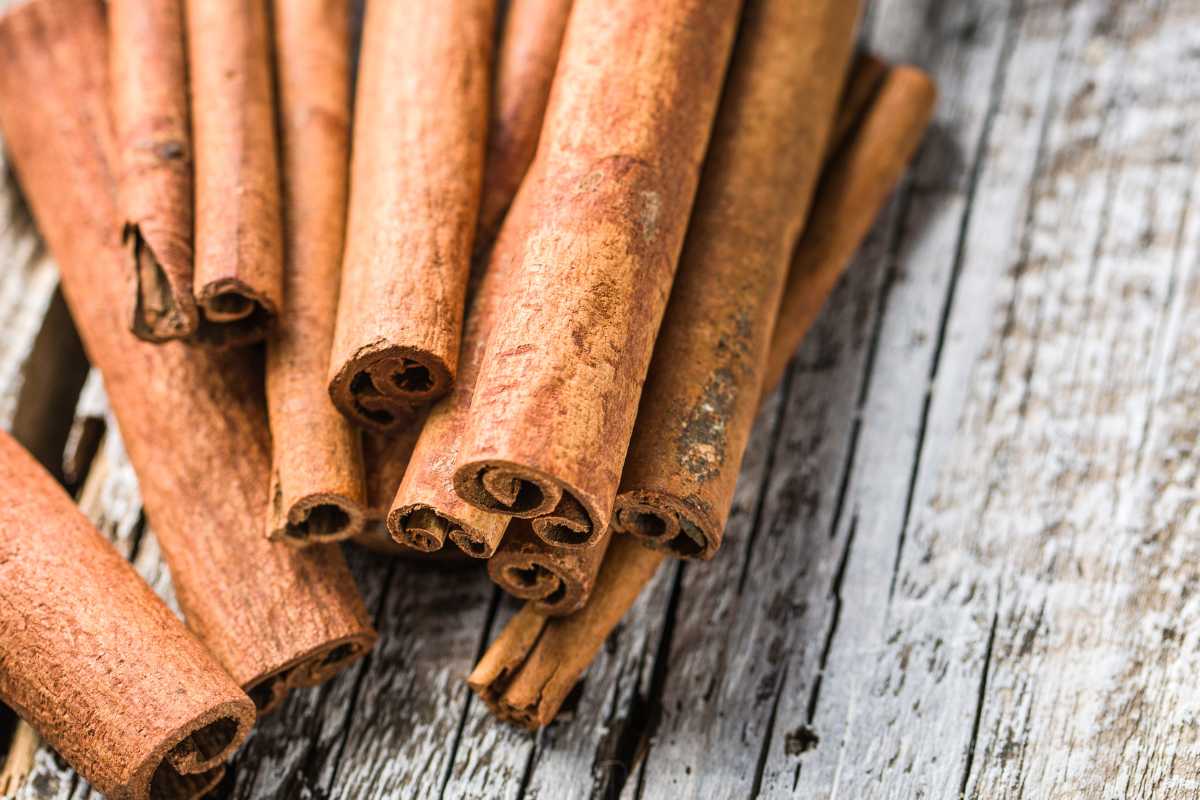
<point x="193" y="419"/>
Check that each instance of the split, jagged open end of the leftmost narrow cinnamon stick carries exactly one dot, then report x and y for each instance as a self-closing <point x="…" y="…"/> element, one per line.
<point x="164" y="310"/>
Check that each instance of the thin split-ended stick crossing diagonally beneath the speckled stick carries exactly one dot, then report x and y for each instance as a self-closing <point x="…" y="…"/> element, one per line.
<point x="531" y="669"/>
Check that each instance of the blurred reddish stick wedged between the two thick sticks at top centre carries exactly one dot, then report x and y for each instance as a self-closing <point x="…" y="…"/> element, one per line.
<point x="525" y="70"/>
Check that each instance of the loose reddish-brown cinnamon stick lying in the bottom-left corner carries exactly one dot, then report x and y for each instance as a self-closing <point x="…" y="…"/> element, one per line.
<point x="94" y="660"/>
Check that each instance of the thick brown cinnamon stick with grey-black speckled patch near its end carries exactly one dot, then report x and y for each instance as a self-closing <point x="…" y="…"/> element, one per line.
<point x="703" y="393"/>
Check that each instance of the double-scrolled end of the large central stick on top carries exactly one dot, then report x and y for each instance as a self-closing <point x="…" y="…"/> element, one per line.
<point x="559" y="515"/>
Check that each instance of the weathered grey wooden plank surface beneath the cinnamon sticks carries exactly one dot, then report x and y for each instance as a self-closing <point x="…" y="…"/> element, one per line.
<point x="963" y="558"/>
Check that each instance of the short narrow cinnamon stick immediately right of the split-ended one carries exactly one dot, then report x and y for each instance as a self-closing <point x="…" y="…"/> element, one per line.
<point x="239" y="242"/>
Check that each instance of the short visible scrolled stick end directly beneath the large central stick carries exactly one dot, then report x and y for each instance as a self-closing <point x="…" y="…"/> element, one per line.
<point x="556" y="581"/>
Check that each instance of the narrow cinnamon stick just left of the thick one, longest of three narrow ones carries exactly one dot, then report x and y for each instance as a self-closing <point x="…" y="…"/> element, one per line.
<point x="317" y="494"/>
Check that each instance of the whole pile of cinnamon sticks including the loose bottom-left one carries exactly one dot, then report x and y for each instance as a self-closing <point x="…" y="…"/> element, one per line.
<point x="520" y="306"/>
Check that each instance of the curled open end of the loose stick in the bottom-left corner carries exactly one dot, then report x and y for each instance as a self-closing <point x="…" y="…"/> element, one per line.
<point x="190" y="765"/>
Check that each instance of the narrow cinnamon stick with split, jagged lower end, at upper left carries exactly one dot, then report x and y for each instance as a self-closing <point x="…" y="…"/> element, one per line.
<point x="151" y="112"/>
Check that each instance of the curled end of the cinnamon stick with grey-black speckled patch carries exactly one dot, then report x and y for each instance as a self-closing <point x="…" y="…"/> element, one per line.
<point x="661" y="522"/>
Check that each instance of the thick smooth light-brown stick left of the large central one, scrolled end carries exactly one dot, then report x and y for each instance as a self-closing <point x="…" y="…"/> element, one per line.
<point x="419" y="141"/>
